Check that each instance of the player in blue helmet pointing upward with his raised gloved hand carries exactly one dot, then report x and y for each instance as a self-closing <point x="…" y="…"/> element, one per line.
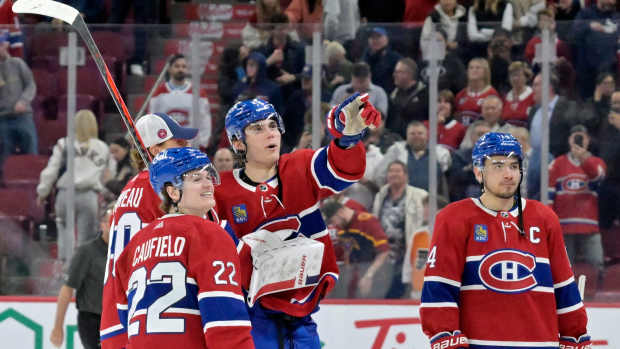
<point x="276" y="193"/>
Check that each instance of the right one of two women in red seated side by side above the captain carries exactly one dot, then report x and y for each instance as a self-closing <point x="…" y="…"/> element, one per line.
<point x="520" y="98"/>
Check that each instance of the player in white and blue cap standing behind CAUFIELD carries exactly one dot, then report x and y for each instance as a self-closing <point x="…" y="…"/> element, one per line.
<point x="136" y="206"/>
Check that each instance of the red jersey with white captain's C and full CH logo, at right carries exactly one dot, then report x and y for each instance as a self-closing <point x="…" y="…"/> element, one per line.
<point x="482" y="272"/>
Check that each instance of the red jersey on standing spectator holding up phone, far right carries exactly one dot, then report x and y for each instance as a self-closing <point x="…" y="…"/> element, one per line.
<point x="573" y="193"/>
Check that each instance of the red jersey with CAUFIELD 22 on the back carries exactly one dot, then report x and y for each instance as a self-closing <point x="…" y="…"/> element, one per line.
<point x="178" y="286"/>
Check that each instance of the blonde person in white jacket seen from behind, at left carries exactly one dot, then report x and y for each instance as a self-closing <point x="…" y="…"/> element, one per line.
<point x="91" y="158"/>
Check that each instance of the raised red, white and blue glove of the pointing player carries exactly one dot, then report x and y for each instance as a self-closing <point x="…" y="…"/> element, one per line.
<point x="349" y="121"/>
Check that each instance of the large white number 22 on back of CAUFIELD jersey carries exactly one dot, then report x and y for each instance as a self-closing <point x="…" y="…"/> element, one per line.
<point x="177" y="275"/>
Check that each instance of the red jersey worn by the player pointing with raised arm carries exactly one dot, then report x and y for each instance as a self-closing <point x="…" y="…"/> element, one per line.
<point x="291" y="201"/>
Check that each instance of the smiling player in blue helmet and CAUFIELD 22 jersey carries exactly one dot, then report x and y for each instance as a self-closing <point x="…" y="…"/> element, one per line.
<point x="177" y="281"/>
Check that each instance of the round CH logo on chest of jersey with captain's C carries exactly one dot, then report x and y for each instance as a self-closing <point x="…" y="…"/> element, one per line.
<point x="508" y="271"/>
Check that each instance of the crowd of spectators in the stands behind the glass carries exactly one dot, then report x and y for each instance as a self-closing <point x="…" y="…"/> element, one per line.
<point x="490" y="80"/>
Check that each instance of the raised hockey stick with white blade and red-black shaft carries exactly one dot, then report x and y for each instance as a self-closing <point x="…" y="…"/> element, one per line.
<point x="72" y="17"/>
